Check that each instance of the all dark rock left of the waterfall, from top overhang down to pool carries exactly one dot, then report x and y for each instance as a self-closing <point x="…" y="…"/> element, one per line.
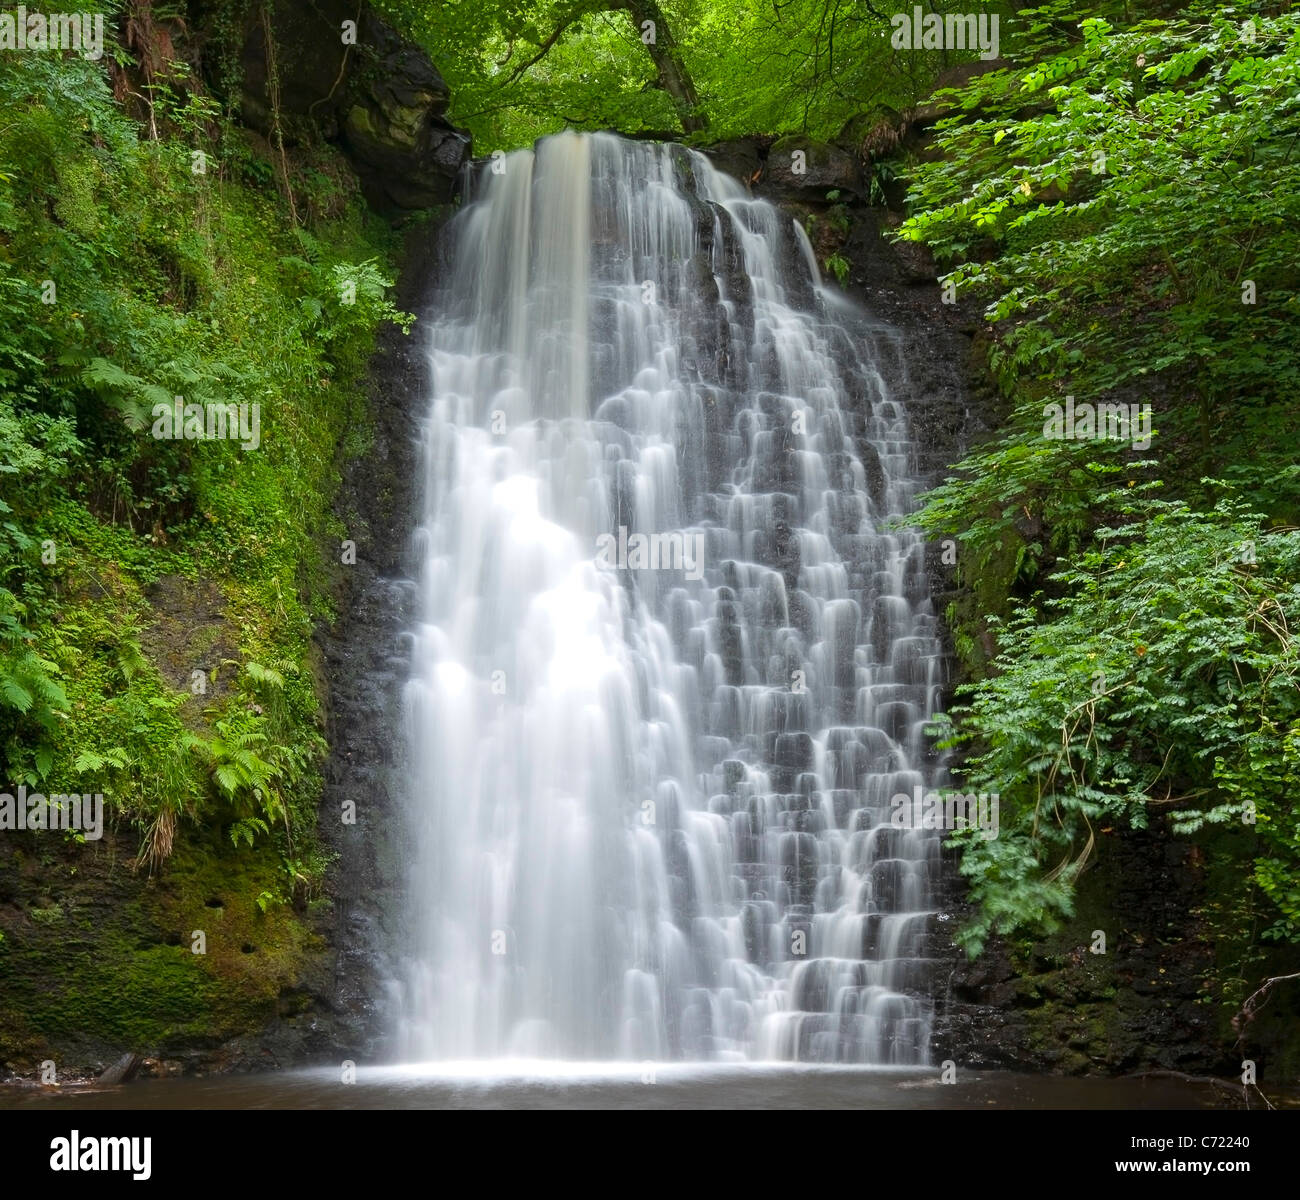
<point x="384" y="102"/>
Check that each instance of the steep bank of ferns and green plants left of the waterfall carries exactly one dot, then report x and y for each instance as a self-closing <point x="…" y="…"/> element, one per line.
<point x="158" y="596"/>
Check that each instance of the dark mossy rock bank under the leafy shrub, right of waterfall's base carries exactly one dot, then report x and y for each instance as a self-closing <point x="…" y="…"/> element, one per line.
<point x="1055" y="1004"/>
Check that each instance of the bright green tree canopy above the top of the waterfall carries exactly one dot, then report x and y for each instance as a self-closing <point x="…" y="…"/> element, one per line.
<point x="525" y="68"/>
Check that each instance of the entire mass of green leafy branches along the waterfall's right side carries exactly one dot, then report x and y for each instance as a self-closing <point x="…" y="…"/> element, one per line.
<point x="1124" y="200"/>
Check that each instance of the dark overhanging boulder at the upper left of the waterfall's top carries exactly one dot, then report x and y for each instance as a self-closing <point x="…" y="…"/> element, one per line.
<point x="382" y="99"/>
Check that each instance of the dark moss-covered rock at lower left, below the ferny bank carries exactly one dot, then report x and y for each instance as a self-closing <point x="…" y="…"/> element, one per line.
<point x="122" y="973"/>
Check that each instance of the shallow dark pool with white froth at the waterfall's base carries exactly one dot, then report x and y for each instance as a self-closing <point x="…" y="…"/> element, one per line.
<point x="532" y="1085"/>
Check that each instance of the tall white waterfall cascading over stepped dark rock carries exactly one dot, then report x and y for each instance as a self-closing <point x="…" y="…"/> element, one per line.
<point x="651" y="815"/>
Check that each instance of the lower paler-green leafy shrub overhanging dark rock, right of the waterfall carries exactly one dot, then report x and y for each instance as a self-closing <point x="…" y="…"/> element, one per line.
<point x="1164" y="678"/>
